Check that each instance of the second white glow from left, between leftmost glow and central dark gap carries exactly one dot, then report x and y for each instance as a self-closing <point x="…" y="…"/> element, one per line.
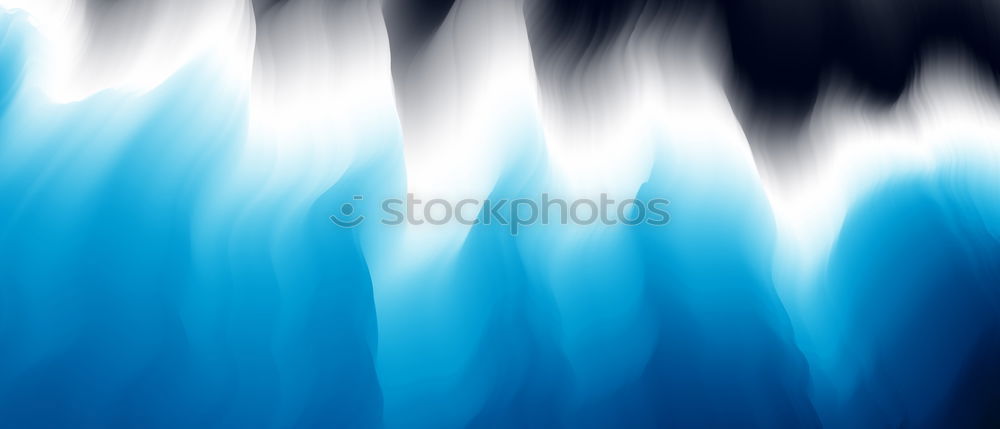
<point x="321" y="81"/>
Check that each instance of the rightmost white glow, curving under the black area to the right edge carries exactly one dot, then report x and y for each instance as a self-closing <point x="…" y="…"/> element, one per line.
<point x="938" y="123"/>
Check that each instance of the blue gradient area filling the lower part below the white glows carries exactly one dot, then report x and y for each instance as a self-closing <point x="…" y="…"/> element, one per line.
<point x="150" y="278"/>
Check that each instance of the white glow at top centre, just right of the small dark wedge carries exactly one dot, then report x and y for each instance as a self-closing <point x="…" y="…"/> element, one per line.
<point x="467" y="108"/>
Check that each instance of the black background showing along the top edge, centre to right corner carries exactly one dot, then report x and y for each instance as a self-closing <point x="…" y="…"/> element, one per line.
<point x="781" y="50"/>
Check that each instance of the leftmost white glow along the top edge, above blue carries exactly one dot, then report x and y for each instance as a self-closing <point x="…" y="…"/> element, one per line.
<point x="134" y="46"/>
